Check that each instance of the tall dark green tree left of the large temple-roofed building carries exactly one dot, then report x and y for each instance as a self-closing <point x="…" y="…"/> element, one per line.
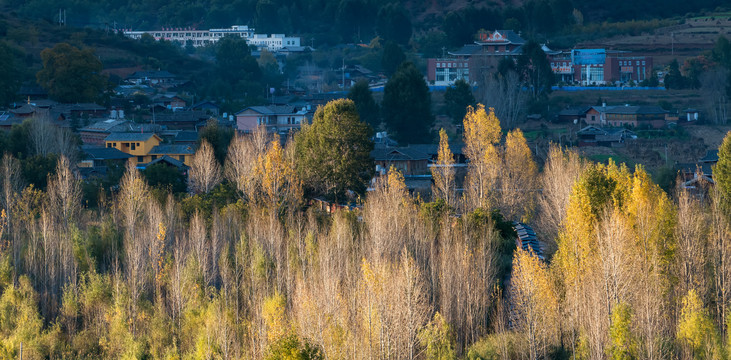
<point x="406" y="106"/>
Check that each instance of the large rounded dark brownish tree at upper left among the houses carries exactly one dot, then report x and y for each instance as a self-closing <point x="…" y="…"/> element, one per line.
<point x="71" y="75"/>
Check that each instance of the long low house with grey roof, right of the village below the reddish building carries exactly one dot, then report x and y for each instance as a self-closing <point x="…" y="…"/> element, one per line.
<point x="633" y="116"/>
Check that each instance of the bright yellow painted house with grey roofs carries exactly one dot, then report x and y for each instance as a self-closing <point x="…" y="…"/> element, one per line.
<point x="145" y="147"/>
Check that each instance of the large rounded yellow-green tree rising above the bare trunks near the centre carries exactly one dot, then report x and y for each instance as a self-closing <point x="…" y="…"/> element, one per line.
<point x="333" y="154"/>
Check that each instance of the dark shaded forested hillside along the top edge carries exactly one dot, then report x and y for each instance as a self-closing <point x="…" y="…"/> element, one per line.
<point x="354" y="19"/>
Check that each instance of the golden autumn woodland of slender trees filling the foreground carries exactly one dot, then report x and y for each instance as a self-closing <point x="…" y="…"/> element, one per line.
<point x="241" y="267"/>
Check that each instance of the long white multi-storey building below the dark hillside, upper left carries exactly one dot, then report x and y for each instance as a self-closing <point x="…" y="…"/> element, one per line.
<point x="273" y="42"/>
